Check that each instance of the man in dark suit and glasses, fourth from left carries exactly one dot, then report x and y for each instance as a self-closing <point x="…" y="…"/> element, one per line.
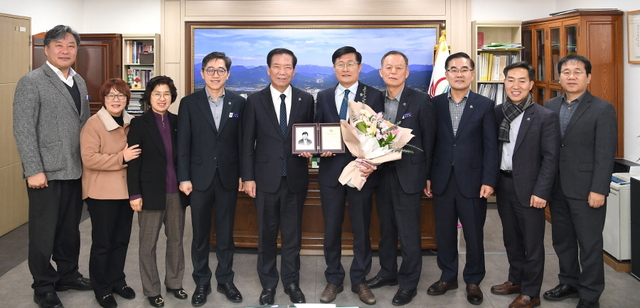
<point x="209" y="135"/>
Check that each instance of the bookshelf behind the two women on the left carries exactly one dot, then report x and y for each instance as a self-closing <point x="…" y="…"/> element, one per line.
<point x="141" y="62"/>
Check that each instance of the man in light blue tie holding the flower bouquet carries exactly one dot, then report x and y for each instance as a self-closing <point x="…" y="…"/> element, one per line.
<point x="333" y="107"/>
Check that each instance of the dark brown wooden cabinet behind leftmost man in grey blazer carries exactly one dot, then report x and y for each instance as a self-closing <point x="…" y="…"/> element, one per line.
<point x="99" y="58"/>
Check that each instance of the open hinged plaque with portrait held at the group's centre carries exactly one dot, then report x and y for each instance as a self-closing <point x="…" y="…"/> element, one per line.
<point x="316" y="138"/>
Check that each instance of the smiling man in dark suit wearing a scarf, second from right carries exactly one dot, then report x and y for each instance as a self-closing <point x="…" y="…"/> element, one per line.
<point x="529" y="145"/>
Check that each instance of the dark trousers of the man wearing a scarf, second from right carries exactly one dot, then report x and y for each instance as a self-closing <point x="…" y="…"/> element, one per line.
<point x="523" y="235"/>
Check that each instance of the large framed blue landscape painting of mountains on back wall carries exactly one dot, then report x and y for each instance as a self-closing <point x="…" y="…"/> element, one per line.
<point x="313" y="43"/>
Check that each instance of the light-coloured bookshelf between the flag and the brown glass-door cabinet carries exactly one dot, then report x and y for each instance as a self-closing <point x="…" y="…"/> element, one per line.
<point x="495" y="44"/>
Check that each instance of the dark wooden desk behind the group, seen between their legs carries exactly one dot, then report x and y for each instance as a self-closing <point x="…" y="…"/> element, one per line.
<point x="245" y="229"/>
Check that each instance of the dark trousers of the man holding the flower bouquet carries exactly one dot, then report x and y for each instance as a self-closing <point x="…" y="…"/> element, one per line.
<point x="333" y="208"/>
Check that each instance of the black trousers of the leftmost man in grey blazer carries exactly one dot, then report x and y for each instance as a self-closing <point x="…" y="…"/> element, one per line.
<point x="54" y="217"/>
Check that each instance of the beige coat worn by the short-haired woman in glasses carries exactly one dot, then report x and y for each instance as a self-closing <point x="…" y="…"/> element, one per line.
<point x="102" y="141"/>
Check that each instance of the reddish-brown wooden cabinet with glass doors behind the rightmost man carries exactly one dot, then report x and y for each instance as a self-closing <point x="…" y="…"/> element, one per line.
<point x="598" y="36"/>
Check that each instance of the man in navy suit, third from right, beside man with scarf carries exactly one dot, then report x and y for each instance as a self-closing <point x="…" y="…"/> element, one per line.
<point x="463" y="174"/>
